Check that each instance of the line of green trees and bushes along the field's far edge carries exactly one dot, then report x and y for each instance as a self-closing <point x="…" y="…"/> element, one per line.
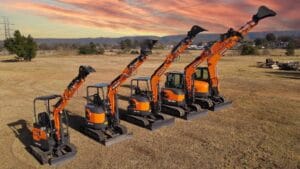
<point x="26" y="48"/>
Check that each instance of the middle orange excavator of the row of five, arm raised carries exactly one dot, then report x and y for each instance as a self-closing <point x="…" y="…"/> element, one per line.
<point x="144" y="103"/>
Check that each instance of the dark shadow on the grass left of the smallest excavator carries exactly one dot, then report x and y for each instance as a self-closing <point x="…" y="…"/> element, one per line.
<point x="22" y="132"/>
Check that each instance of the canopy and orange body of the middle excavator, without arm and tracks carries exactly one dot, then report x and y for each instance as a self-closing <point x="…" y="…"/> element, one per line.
<point x="140" y="96"/>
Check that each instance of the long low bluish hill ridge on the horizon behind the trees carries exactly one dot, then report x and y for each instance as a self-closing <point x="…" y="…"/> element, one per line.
<point x="172" y="39"/>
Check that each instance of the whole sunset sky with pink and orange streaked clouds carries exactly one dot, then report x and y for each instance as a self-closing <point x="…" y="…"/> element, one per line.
<point x="115" y="18"/>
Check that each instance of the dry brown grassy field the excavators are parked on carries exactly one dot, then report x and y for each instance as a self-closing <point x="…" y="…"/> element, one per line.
<point x="260" y="130"/>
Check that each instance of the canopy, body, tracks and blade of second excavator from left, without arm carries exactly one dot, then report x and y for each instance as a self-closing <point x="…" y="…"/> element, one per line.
<point x="99" y="123"/>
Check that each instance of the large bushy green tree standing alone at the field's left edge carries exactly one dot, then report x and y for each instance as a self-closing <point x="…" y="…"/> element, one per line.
<point x="24" y="47"/>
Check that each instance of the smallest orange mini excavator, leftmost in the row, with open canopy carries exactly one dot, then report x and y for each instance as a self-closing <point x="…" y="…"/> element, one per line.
<point x="51" y="140"/>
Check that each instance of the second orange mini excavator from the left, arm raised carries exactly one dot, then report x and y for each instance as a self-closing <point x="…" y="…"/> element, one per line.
<point x="102" y="114"/>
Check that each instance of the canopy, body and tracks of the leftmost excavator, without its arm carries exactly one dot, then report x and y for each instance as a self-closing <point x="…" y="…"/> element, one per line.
<point x="43" y="132"/>
